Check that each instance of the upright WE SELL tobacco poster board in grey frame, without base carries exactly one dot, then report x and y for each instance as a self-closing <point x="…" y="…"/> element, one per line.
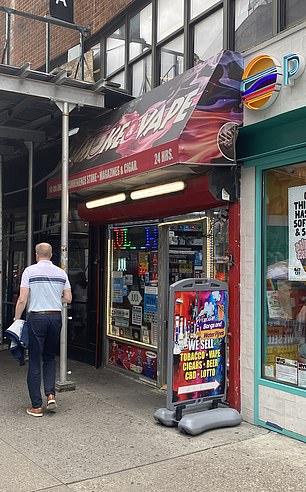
<point x="197" y="343"/>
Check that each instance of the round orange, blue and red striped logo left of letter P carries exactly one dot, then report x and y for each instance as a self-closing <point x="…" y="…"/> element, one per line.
<point x="261" y="82"/>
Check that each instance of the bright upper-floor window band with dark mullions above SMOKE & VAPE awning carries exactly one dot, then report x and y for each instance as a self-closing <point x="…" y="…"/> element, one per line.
<point x="159" y="46"/>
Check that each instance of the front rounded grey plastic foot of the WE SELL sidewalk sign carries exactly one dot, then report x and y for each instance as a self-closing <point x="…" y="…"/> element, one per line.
<point x="196" y="423"/>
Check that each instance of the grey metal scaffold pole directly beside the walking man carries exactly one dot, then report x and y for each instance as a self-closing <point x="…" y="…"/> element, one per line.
<point x="63" y="384"/>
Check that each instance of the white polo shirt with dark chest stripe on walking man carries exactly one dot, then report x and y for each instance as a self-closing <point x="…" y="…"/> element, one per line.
<point x="46" y="283"/>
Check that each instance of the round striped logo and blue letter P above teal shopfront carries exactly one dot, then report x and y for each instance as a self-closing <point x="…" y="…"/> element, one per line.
<point x="264" y="77"/>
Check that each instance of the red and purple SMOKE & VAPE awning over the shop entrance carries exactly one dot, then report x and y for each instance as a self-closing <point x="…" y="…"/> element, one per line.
<point x="177" y="129"/>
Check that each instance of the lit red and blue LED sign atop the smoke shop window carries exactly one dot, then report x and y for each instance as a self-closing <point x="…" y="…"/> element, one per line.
<point x="130" y="238"/>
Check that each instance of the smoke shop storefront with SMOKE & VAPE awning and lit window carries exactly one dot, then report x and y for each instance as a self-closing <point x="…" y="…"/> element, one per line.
<point x="160" y="174"/>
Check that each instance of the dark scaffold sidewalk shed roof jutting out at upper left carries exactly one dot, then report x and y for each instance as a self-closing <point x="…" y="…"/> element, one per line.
<point x="28" y="112"/>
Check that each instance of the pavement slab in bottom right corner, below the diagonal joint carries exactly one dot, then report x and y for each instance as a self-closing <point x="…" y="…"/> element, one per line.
<point x="236" y="467"/>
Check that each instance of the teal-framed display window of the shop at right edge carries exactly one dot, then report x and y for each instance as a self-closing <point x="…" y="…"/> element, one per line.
<point x="284" y="264"/>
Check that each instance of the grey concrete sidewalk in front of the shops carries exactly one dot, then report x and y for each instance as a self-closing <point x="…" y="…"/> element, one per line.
<point x="103" y="438"/>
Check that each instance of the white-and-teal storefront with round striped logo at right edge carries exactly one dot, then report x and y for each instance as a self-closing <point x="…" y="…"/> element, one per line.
<point x="272" y="148"/>
